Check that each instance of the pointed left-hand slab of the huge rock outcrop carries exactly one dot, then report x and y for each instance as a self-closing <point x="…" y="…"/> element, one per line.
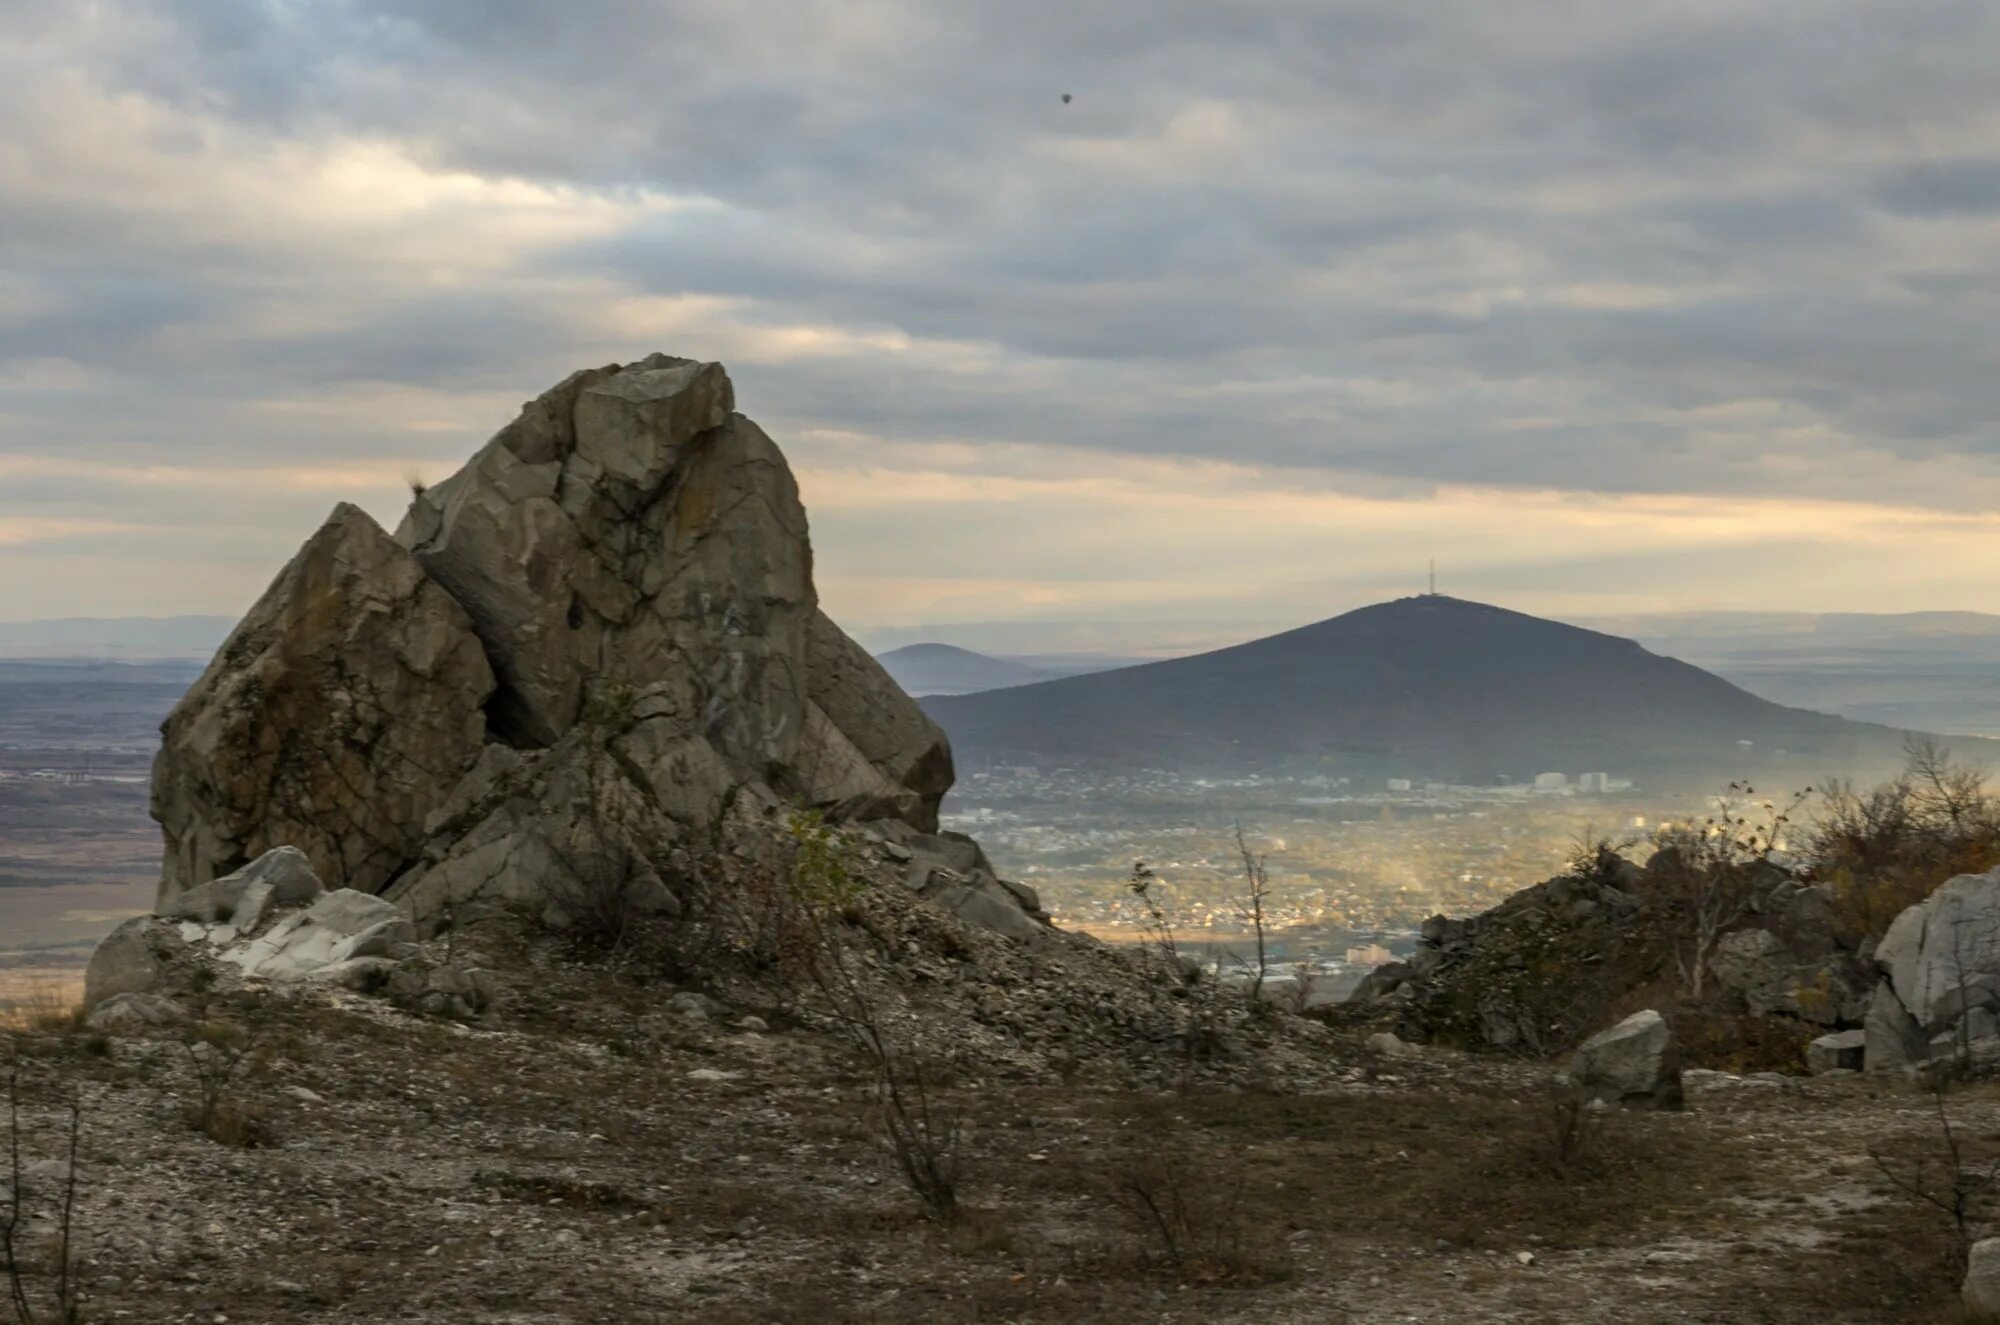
<point x="335" y="720"/>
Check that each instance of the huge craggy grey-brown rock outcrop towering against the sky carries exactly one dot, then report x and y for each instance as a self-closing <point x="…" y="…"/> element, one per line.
<point x="577" y="657"/>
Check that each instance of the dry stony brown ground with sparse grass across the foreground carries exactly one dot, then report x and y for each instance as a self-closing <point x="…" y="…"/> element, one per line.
<point x="639" y="1166"/>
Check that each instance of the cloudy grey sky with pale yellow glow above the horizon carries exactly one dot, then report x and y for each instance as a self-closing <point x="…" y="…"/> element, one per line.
<point x="1609" y="307"/>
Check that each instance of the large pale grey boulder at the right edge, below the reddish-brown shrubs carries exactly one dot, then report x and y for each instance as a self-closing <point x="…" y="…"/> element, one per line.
<point x="1941" y="976"/>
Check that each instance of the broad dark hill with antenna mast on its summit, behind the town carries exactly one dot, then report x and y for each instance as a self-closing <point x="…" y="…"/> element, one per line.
<point x="1425" y="688"/>
